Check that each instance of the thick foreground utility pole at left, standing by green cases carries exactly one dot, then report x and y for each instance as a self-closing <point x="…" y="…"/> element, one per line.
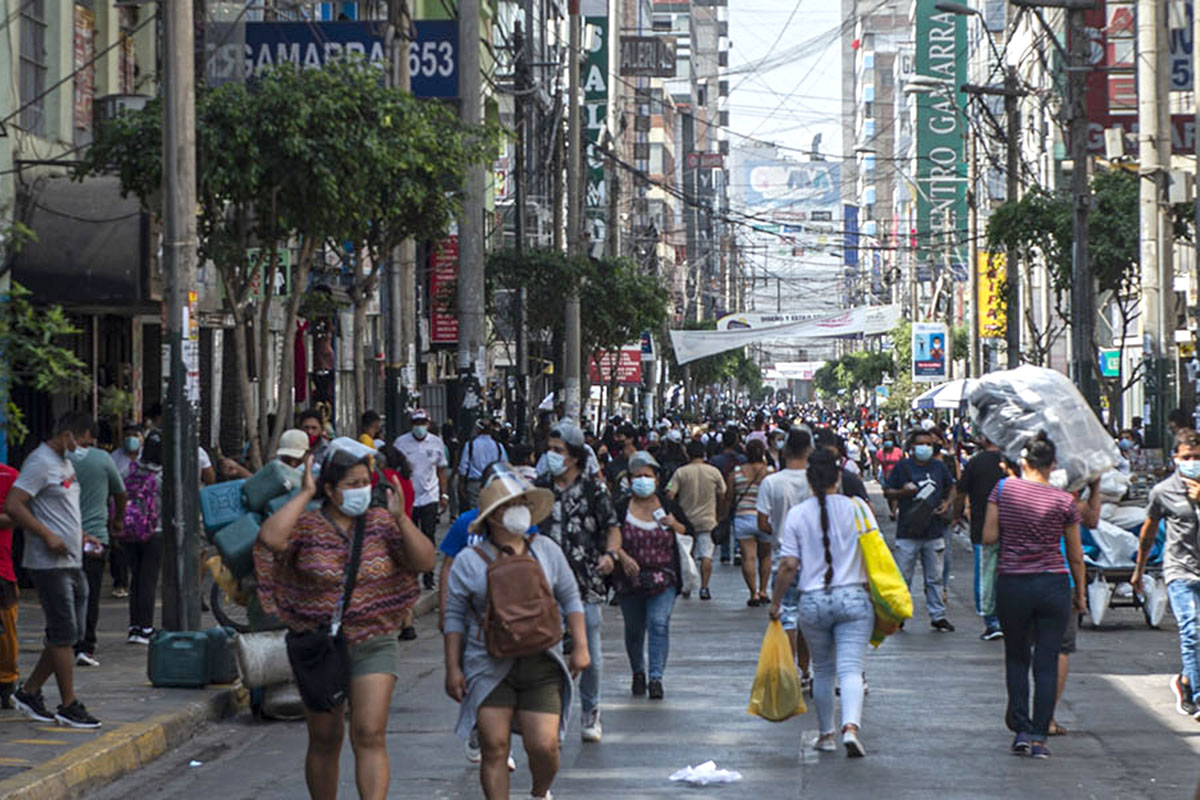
<point x="182" y="555"/>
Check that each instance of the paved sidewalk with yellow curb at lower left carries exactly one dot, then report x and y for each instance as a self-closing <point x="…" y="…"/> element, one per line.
<point x="45" y="762"/>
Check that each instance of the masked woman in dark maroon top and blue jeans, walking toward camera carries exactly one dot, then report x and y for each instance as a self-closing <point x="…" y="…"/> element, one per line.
<point x="650" y="579"/>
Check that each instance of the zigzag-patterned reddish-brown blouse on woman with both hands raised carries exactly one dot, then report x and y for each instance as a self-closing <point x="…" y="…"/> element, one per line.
<point x="303" y="585"/>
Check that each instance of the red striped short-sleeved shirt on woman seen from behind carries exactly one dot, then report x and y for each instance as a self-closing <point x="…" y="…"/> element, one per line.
<point x="1033" y="519"/>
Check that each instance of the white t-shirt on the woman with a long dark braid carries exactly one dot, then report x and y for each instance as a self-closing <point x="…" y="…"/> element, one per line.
<point x="803" y="540"/>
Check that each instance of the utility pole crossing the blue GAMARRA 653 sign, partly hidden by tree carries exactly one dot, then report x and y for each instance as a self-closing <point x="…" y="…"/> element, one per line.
<point x="401" y="332"/>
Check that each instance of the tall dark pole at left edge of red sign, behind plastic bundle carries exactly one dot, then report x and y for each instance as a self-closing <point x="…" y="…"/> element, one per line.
<point x="1083" y="303"/>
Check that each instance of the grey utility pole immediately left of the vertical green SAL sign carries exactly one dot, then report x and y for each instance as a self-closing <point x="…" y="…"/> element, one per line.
<point x="573" y="357"/>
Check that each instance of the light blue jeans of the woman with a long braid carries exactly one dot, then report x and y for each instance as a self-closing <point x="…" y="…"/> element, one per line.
<point x="837" y="624"/>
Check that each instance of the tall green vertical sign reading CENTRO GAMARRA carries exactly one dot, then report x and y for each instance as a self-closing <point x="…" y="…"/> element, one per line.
<point x="941" y="137"/>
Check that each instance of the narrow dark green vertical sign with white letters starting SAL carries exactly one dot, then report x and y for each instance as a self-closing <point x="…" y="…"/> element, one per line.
<point x="596" y="118"/>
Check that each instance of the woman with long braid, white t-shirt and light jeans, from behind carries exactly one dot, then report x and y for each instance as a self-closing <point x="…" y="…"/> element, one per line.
<point x="820" y="542"/>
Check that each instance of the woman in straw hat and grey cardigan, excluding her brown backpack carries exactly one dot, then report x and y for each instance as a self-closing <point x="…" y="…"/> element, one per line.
<point x="535" y="690"/>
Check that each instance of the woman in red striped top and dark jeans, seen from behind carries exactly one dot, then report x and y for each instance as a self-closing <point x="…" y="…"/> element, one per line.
<point x="1030" y="519"/>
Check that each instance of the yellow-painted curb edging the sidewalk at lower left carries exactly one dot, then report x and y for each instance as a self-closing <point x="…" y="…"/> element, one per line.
<point x="136" y="744"/>
